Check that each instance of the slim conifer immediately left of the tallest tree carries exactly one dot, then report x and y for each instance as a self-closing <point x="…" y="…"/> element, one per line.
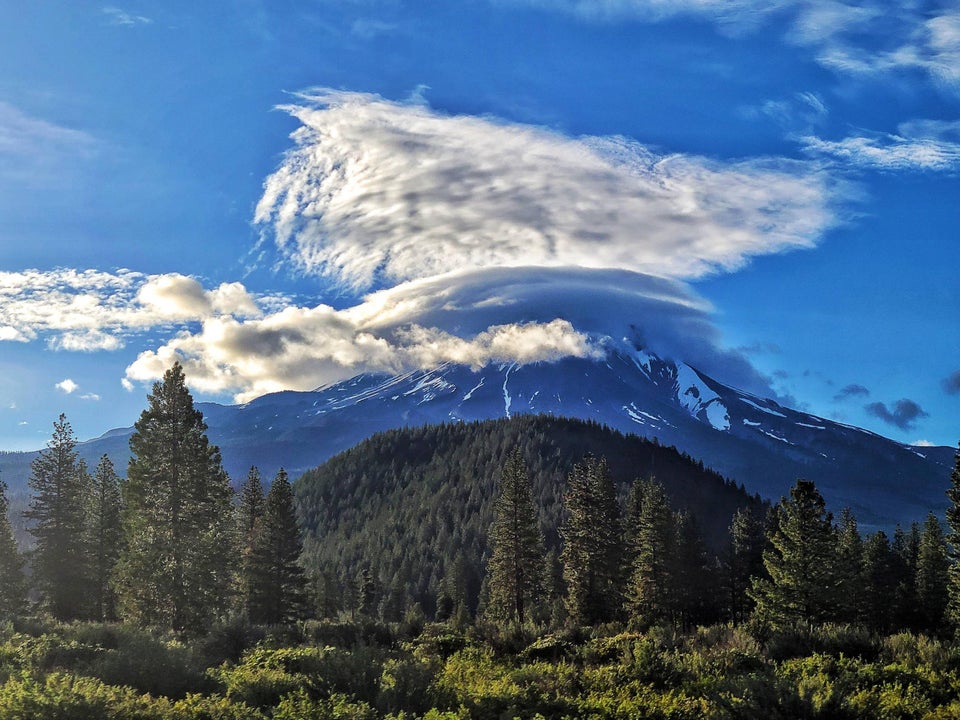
<point x="105" y="536"/>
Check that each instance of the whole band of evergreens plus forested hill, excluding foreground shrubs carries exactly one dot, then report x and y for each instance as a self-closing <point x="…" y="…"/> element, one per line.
<point x="172" y="546"/>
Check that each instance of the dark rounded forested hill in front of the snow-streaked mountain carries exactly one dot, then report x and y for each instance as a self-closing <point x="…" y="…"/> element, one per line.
<point x="414" y="505"/>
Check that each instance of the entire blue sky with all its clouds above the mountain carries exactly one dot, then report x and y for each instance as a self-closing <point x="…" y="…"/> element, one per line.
<point x="285" y="194"/>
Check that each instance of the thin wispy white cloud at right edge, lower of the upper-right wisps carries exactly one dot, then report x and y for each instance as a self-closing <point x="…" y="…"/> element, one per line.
<point x="919" y="146"/>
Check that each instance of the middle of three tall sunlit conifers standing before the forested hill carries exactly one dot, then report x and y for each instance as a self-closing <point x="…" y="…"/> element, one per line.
<point x="592" y="545"/>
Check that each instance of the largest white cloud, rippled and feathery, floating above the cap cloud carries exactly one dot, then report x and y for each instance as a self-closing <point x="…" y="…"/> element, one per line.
<point x="379" y="192"/>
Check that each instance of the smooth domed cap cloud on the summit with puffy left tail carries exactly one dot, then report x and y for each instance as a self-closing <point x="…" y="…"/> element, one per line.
<point x="494" y="315"/>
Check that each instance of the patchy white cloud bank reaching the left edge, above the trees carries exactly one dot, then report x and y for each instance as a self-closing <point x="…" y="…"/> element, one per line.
<point x="91" y="310"/>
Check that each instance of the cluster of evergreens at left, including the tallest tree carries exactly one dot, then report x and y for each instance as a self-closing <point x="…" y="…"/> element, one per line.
<point x="166" y="547"/>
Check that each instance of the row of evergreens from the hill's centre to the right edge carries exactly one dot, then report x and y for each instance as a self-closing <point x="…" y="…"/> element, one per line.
<point x="644" y="564"/>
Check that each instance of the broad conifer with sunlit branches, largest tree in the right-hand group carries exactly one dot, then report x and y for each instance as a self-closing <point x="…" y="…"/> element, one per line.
<point x="800" y="561"/>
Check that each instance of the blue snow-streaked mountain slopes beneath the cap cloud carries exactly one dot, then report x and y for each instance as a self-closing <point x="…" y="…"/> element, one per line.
<point x="750" y="439"/>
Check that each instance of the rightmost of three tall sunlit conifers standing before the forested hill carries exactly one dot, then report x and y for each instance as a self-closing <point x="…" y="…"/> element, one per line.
<point x="652" y="589"/>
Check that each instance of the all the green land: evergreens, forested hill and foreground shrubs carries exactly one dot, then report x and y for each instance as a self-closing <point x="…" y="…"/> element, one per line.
<point x="526" y="568"/>
